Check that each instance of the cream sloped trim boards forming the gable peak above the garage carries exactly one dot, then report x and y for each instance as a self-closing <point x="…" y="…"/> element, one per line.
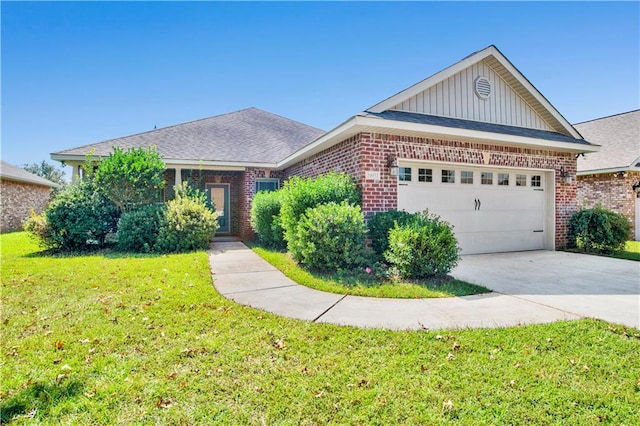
<point x="463" y="64"/>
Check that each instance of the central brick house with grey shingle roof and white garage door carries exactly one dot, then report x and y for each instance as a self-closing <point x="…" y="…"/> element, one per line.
<point x="476" y="143"/>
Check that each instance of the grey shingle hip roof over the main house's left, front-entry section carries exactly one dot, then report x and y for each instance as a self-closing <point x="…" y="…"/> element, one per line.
<point x="249" y="136"/>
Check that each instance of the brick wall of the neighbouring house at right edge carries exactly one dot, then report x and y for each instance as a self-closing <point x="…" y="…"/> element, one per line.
<point x="615" y="193"/>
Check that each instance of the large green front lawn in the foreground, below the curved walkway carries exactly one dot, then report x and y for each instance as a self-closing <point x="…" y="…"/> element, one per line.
<point x="103" y="339"/>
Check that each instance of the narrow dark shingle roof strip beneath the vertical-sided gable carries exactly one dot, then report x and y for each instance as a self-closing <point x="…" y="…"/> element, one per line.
<point x="412" y="117"/>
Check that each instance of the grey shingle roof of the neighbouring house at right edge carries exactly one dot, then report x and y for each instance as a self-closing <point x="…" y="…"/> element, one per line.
<point x="619" y="136"/>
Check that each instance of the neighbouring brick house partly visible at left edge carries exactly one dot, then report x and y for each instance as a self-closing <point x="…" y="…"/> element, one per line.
<point x="21" y="191"/>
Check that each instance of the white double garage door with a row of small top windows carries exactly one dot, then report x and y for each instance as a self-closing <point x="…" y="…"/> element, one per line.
<point x="492" y="210"/>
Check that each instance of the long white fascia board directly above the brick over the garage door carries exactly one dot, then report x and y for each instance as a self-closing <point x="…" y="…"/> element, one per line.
<point x="486" y="137"/>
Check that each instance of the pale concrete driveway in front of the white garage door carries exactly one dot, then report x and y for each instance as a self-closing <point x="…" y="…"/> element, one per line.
<point x="579" y="284"/>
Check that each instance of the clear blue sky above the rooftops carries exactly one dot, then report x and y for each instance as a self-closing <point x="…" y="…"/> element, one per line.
<point x="78" y="73"/>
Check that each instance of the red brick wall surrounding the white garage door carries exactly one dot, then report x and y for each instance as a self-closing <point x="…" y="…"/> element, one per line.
<point x="369" y="152"/>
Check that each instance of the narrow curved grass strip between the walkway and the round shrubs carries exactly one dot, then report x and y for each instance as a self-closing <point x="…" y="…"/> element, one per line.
<point x="334" y="283"/>
